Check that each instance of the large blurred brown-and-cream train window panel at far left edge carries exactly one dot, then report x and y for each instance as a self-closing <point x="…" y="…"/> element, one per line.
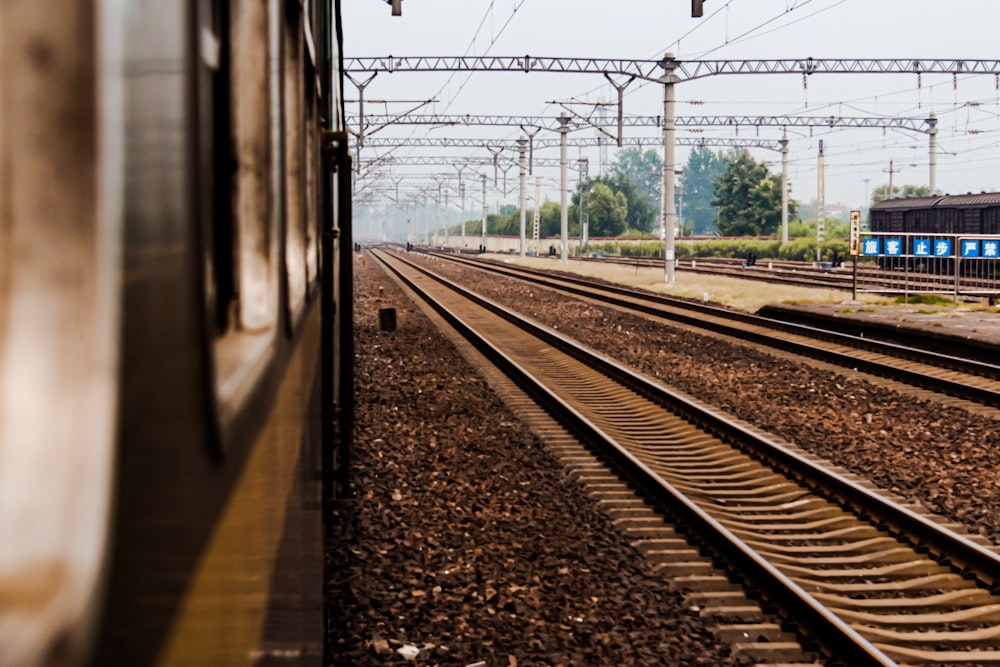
<point x="58" y="320"/>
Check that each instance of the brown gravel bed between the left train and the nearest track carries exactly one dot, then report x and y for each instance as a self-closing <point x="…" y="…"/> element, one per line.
<point x="465" y="542"/>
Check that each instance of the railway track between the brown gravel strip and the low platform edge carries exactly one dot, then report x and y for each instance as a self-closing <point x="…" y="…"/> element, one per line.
<point x="954" y="376"/>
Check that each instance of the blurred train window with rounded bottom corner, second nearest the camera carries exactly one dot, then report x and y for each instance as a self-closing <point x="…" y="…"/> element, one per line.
<point x="247" y="165"/>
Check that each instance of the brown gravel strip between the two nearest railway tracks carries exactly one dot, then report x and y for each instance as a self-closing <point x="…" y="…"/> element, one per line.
<point x="945" y="458"/>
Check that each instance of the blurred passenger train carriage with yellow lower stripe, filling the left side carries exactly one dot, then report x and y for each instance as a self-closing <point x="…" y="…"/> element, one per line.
<point x="174" y="329"/>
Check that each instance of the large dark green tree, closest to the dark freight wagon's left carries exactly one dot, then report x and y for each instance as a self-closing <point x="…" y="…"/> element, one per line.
<point x="748" y="197"/>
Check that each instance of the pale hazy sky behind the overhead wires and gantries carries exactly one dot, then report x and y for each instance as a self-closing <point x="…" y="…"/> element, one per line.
<point x="968" y="108"/>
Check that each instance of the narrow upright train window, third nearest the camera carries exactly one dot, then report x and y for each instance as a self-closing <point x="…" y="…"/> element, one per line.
<point x="295" y="166"/>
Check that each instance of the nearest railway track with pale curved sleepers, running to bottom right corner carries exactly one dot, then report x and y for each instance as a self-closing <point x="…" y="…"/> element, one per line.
<point x="869" y="580"/>
